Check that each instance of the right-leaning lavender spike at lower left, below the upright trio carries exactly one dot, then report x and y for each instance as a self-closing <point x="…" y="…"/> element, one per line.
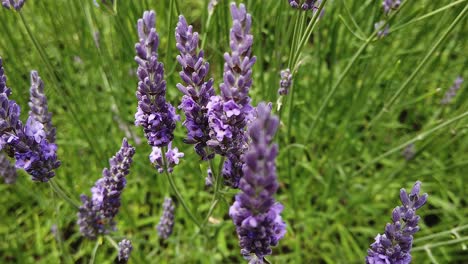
<point x="96" y="215"/>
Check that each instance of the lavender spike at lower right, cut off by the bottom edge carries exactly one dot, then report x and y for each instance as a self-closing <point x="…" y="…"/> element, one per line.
<point x="394" y="246"/>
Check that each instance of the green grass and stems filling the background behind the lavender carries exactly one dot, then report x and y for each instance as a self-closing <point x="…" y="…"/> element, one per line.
<point x="340" y="163"/>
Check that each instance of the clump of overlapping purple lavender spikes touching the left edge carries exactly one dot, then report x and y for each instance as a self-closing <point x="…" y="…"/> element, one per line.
<point x="29" y="143"/>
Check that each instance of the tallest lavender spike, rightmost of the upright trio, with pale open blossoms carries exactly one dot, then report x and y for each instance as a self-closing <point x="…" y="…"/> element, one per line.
<point x="229" y="113"/>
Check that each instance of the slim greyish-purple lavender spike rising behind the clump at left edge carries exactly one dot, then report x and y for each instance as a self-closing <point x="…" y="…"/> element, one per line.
<point x="38" y="105"/>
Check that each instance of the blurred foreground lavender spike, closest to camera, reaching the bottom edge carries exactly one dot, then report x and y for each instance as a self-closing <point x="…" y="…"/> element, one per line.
<point x="255" y="212"/>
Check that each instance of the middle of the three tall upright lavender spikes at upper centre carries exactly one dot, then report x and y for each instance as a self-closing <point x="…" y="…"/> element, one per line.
<point x="197" y="91"/>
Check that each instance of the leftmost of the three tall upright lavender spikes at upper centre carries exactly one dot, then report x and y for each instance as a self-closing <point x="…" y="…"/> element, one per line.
<point x="154" y="114"/>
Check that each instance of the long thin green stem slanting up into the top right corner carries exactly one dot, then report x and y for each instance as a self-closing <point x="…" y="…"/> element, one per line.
<point x="413" y="75"/>
